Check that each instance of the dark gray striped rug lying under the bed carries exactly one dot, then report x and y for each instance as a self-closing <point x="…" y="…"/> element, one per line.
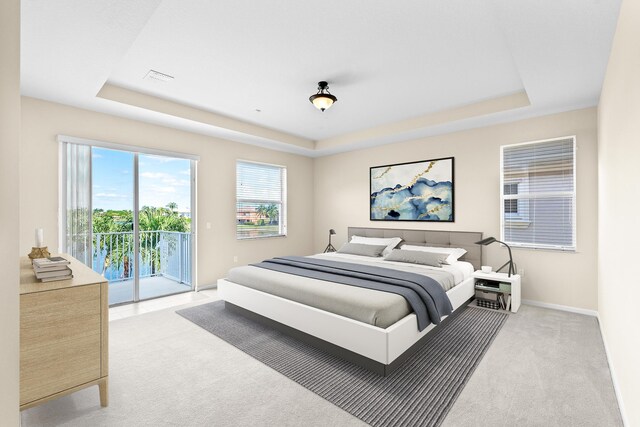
<point x="420" y="393"/>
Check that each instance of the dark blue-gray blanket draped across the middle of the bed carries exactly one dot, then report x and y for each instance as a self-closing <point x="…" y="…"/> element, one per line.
<point x="425" y="296"/>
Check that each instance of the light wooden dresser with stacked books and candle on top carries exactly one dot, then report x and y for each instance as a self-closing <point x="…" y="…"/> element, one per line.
<point x="64" y="334"/>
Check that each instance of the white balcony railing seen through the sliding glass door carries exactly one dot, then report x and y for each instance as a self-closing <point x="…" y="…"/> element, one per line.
<point x="162" y="253"/>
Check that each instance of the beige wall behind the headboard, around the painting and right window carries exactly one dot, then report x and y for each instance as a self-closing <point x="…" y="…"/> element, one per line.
<point x="342" y="192"/>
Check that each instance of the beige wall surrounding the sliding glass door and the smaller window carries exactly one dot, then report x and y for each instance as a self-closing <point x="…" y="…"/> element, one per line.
<point x="42" y="121"/>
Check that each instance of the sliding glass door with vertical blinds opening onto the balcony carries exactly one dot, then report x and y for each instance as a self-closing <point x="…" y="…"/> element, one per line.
<point x="129" y="216"/>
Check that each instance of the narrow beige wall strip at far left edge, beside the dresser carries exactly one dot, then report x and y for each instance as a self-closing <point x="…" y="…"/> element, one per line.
<point x="9" y="213"/>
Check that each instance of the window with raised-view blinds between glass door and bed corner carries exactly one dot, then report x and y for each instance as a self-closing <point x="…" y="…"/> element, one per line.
<point x="260" y="200"/>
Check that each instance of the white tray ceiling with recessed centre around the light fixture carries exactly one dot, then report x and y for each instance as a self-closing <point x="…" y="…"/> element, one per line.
<point x="387" y="62"/>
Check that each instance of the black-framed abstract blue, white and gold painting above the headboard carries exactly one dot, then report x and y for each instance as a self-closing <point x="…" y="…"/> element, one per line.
<point x="416" y="191"/>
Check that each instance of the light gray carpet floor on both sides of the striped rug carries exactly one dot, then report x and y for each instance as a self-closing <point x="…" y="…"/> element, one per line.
<point x="545" y="368"/>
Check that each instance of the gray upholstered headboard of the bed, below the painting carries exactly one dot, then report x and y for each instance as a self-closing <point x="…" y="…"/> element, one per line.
<point x="445" y="239"/>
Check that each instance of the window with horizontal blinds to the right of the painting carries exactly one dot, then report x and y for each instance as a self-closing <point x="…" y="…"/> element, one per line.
<point x="538" y="194"/>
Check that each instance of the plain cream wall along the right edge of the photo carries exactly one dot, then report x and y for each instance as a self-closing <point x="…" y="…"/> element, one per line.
<point x="619" y="204"/>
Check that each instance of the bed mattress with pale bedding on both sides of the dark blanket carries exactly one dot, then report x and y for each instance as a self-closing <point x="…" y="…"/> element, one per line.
<point x="377" y="308"/>
